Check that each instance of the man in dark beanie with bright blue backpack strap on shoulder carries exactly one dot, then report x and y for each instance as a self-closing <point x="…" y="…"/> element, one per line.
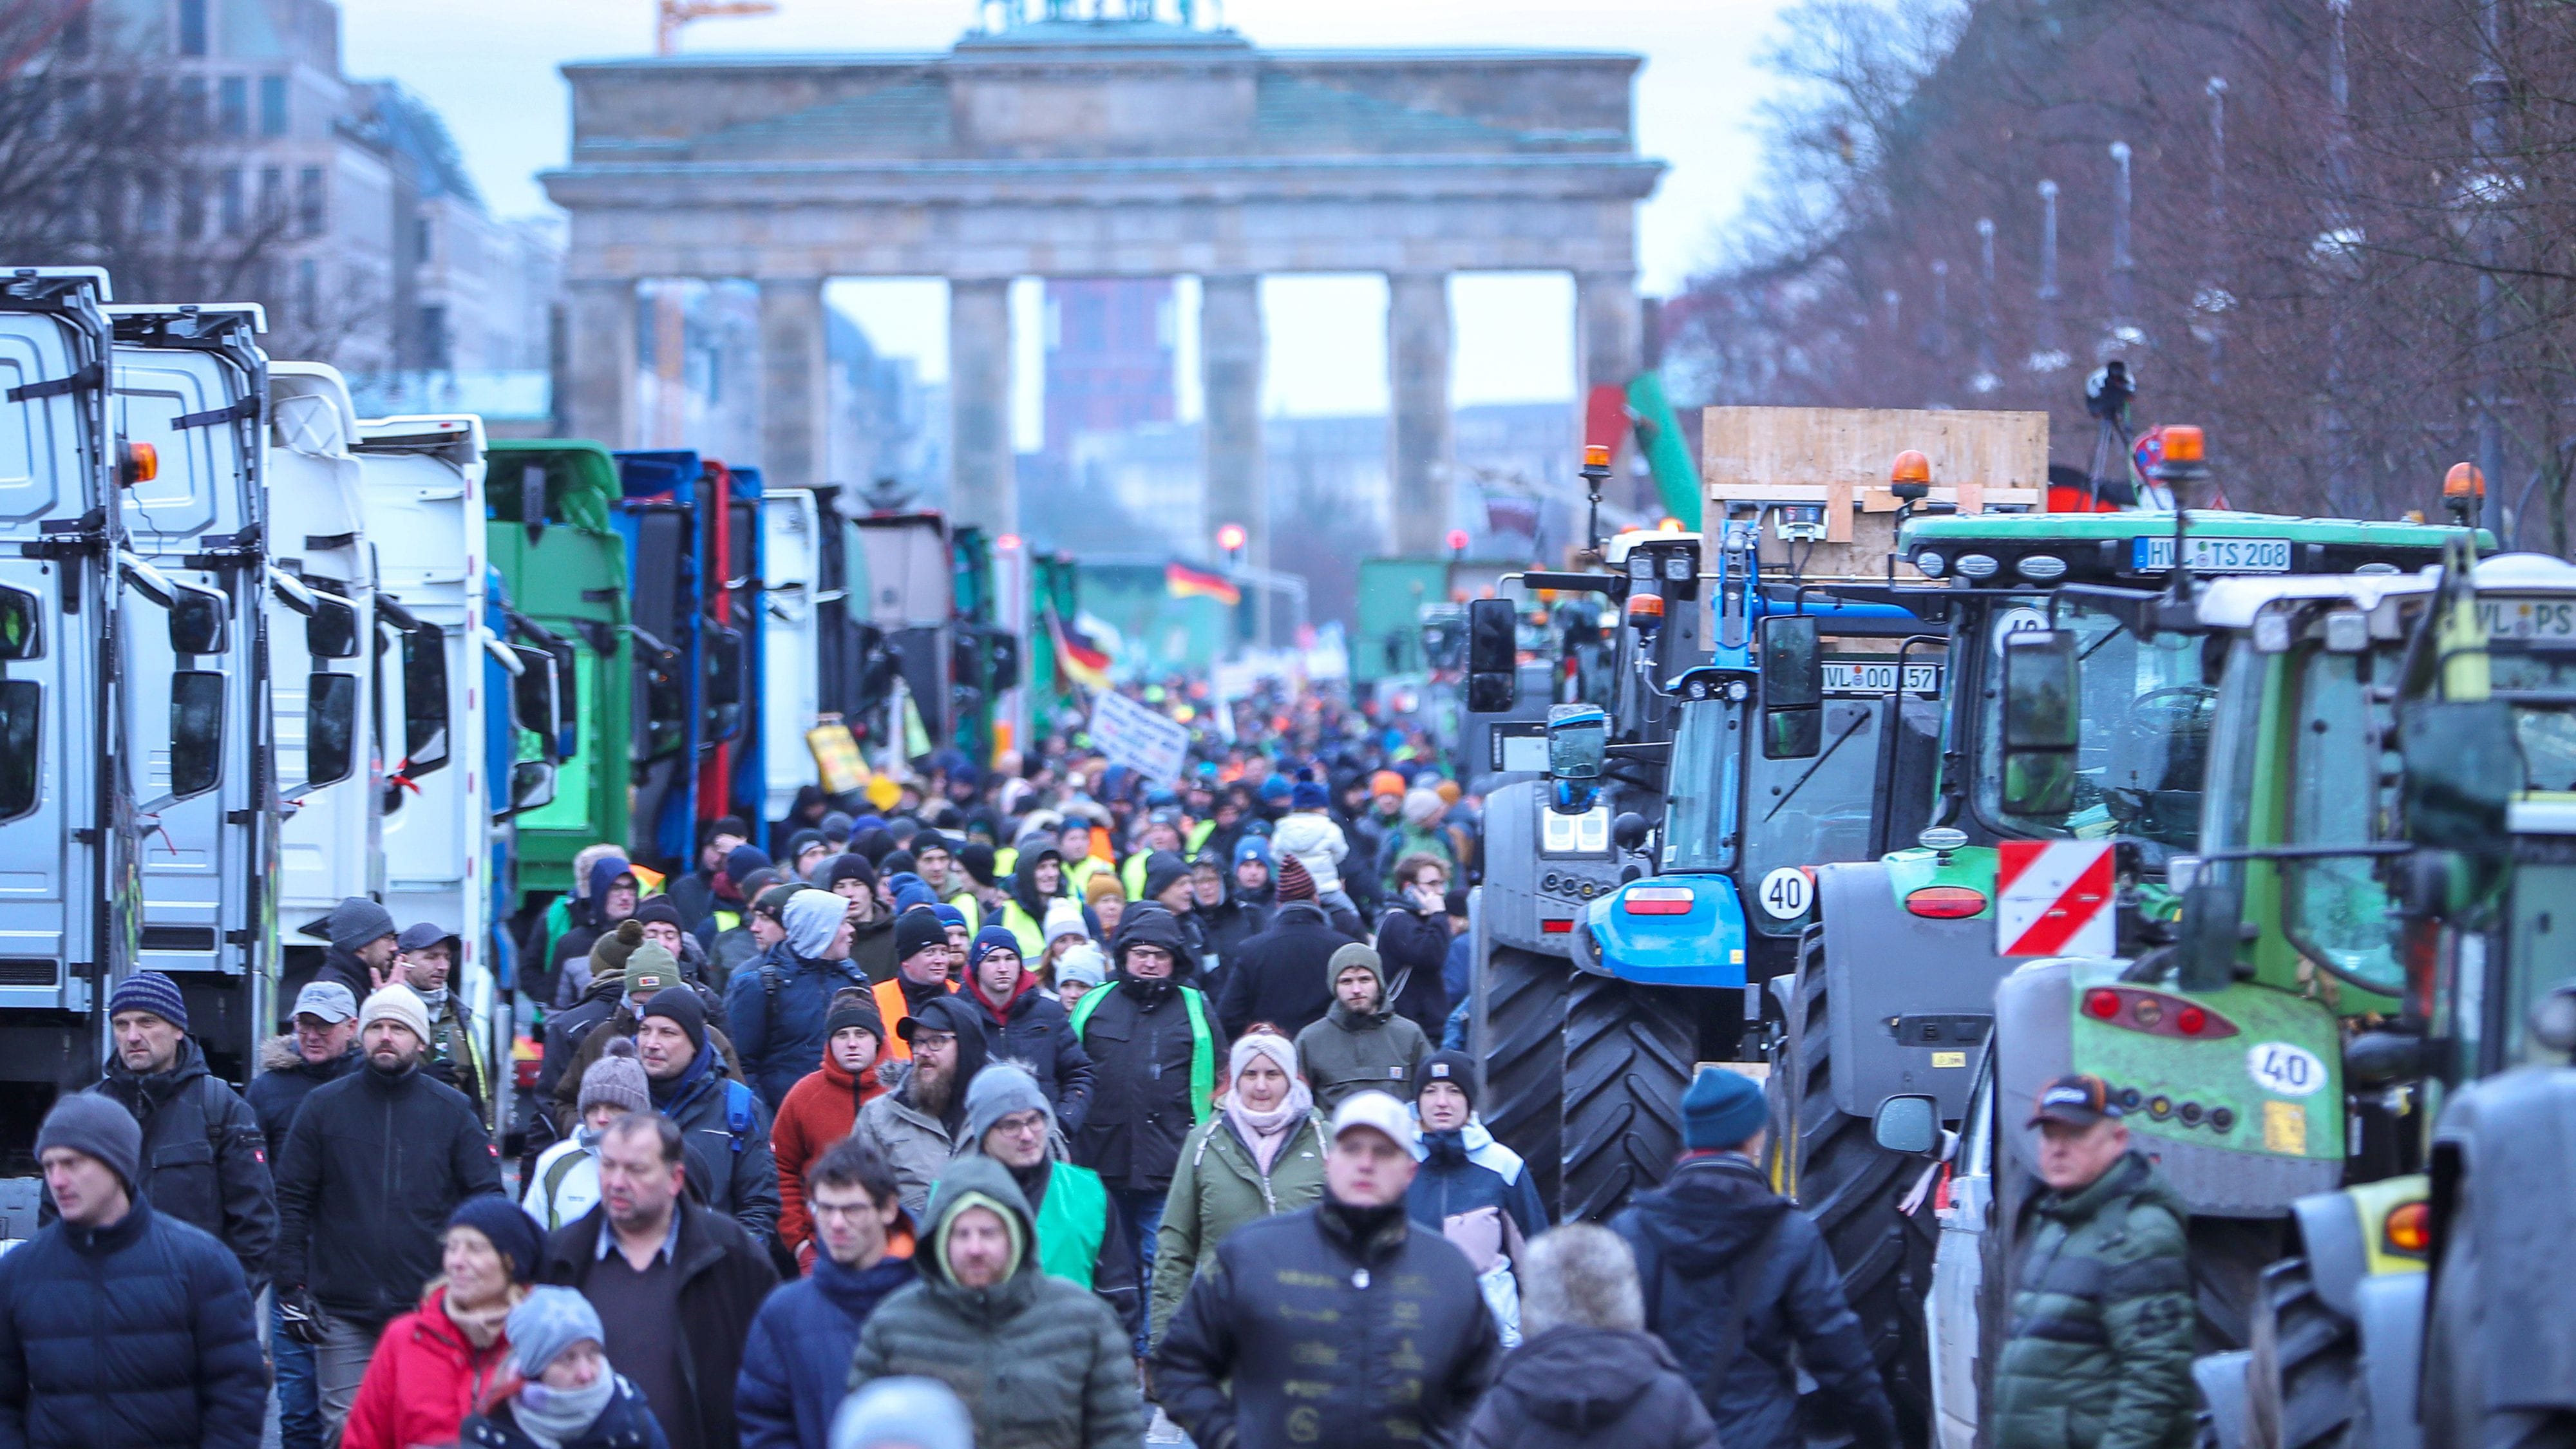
<point x="723" y="1120"/>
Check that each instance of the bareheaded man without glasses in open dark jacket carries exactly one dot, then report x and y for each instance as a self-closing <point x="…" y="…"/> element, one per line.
<point x="674" y="1283"/>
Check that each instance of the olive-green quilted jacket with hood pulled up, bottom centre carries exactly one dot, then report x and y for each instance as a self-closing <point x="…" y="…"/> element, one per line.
<point x="1037" y="1363"/>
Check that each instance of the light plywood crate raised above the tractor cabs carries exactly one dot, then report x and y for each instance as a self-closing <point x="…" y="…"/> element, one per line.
<point x="1838" y="458"/>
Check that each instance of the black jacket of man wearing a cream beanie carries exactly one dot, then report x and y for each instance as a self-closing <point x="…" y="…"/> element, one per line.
<point x="370" y="1177"/>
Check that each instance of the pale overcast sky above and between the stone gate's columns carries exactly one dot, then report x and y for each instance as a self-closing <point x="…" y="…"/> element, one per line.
<point x="491" y="68"/>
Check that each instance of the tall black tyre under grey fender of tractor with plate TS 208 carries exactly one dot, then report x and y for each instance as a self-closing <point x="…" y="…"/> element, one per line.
<point x="1830" y="1167"/>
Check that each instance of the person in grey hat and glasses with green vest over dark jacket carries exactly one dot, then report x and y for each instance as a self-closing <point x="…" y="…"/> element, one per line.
<point x="1081" y="1236"/>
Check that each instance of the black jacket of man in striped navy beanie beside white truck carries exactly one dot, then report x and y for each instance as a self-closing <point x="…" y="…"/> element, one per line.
<point x="205" y="1156"/>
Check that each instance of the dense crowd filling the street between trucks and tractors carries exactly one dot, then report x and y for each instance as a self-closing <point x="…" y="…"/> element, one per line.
<point x="1029" y="1107"/>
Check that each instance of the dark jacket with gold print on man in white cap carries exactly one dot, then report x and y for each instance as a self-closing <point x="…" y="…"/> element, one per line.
<point x="1341" y="1329"/>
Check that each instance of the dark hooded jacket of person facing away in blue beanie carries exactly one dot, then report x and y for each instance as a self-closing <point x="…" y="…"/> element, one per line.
<point x="1722" y="1259"/>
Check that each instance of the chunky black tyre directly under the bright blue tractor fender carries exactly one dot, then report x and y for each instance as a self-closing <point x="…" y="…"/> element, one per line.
<point x="1629" y="1056"/>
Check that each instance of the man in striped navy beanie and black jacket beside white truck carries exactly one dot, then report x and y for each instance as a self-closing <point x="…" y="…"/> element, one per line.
<point x="205" y="1154"/>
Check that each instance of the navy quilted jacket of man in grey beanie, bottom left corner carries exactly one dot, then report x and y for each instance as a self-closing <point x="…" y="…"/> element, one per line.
<point x="133" y="1337"/>
